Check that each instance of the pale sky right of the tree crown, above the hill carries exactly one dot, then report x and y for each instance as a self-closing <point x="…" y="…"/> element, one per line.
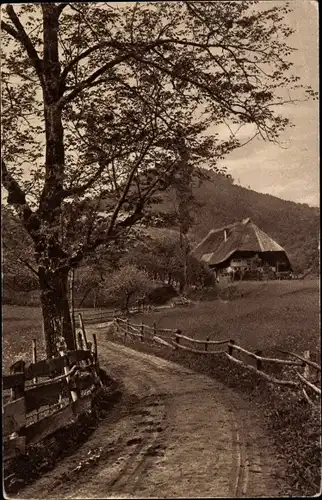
<point x="290" y="171"/>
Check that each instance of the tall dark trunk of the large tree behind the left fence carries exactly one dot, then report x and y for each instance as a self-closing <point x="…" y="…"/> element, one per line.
<point x="51" y="258"/>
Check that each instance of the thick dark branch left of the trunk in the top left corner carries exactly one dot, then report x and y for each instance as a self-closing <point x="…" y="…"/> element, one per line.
<point x="21" y="36"/>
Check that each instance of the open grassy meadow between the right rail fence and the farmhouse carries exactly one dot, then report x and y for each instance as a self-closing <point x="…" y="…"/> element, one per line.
<point x="268" y="316"/>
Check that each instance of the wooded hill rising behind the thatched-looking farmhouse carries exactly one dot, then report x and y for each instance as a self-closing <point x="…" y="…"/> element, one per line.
<point x="295" y="226"/>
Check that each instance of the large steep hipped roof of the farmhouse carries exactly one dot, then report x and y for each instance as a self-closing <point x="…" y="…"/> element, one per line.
<point x="242" y="236"/>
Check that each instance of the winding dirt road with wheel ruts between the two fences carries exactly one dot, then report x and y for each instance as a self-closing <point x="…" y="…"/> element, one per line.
<point x="174" y="434"/>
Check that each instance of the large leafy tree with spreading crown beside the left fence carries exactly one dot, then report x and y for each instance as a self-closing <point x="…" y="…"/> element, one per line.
<point x="97" y="100"/>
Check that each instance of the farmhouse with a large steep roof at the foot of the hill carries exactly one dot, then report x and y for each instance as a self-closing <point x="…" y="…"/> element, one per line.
<point x="243" y="251"/>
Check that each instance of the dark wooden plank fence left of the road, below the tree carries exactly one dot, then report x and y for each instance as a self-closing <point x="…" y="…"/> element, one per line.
<point x="45" y="395"/>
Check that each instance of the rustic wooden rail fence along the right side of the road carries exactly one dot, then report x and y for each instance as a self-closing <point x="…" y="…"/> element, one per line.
<point x="255" y="362"/>
